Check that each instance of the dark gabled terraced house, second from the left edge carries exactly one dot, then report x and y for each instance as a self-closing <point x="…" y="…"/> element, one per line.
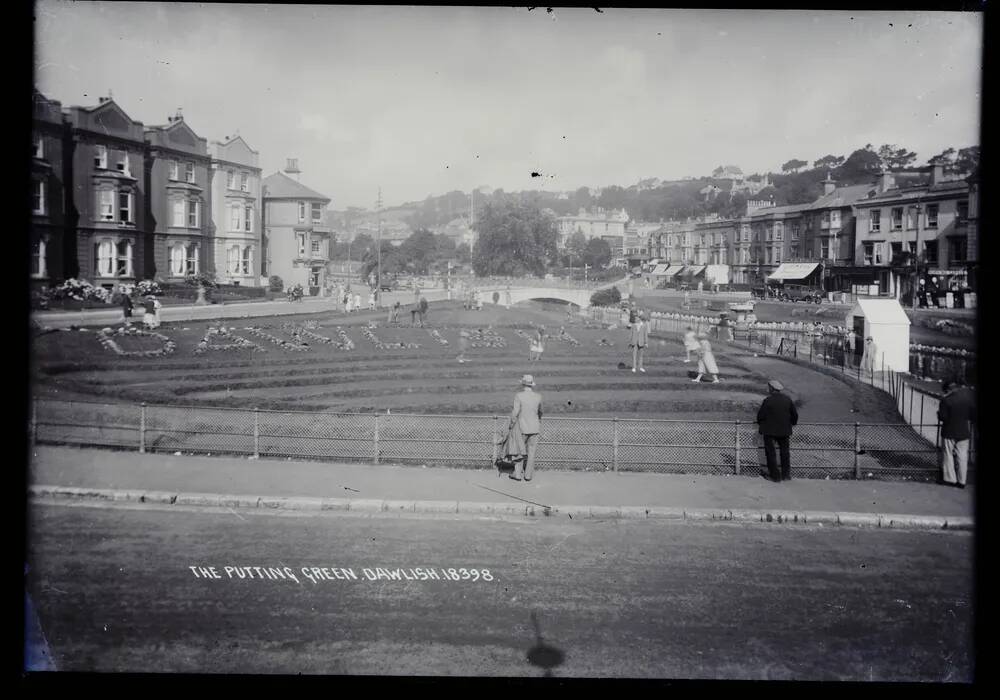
<point x="107" y="239"/>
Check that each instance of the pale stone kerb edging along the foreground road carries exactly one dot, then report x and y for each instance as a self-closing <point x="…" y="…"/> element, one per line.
<point x="862" y="520"/>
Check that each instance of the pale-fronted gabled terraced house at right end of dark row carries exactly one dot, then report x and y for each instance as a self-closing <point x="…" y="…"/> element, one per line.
<point x="236" y="211"/>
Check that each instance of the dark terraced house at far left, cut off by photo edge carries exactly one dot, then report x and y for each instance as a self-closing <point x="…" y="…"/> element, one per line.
<point x="48" y="216"/>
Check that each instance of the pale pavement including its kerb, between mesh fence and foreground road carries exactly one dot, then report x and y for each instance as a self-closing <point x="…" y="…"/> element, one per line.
<point x="240" y="482"/>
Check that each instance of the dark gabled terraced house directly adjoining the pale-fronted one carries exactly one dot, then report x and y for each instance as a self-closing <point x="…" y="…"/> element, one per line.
<point x="178" y="172"/>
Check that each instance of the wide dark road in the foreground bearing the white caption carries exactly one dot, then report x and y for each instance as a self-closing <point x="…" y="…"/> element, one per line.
<point x="115" y="592"/>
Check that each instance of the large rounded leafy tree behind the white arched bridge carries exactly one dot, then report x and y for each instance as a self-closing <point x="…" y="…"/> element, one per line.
<point x="514" y="239"/>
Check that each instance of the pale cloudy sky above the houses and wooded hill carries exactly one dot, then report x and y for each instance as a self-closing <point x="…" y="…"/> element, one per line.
<point x="425" y="100"/>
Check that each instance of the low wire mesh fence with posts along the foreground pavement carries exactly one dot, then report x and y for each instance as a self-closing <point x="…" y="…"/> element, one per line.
<point x="818" y="450"/>
